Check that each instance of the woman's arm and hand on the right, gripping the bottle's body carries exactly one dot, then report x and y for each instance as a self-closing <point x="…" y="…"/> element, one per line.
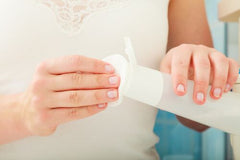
<point x="191" y="56"/>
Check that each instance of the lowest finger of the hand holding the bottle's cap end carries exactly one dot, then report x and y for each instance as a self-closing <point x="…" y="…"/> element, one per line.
<point x="63" y="115"/>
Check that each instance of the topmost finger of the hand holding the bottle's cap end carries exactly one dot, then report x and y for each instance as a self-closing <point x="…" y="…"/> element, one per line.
<point x="75" y="63"/>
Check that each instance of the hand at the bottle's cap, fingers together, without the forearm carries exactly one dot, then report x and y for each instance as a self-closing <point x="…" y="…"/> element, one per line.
<point x="67" y="89"/>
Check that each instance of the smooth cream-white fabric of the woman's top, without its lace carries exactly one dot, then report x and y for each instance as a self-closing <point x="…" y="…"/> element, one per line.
<point x="30" y="33"/>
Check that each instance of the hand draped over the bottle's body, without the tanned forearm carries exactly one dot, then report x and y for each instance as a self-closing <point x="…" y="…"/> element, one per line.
<point x="205" y="66"/>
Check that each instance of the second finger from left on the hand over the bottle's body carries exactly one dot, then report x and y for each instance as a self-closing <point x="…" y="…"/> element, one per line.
<point x="201" y="65"/>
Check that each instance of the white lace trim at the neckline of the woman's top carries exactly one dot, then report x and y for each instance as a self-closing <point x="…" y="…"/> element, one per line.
<point x="71" y="14"/>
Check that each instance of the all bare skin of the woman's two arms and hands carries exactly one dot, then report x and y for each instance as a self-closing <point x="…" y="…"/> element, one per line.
<point x="82" y="87"/>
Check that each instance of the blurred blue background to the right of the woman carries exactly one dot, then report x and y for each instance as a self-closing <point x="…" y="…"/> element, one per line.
<point x="180" y="143"/>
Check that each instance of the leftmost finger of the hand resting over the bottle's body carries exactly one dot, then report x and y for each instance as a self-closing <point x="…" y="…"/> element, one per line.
<point x="179" y="71"/>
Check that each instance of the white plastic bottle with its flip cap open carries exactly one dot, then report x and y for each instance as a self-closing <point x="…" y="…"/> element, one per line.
<point x="155" y="88"/>
